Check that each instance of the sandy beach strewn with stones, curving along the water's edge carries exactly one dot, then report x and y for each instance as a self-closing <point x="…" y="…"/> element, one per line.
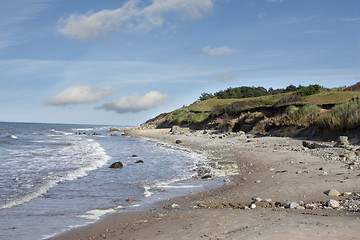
<point x="281" y="191"/>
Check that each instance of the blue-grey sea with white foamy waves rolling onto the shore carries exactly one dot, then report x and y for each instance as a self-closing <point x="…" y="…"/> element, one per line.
<point x="54" y="177"/>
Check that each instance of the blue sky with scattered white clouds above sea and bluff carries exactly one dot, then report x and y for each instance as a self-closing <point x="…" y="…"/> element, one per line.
<point x="122" y="62"/>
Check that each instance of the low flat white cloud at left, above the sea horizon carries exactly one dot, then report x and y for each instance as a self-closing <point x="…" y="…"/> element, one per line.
<point x="80" y="94"/>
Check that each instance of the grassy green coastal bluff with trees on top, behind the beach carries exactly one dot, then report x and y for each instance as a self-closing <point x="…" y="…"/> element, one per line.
<point x="302" y="107"/>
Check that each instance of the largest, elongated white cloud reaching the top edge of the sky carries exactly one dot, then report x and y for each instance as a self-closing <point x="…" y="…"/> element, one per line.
<point x="130" y="17"/>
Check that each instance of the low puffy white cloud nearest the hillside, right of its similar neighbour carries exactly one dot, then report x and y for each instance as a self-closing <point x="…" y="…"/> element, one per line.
<point x="135" y="103"/>
